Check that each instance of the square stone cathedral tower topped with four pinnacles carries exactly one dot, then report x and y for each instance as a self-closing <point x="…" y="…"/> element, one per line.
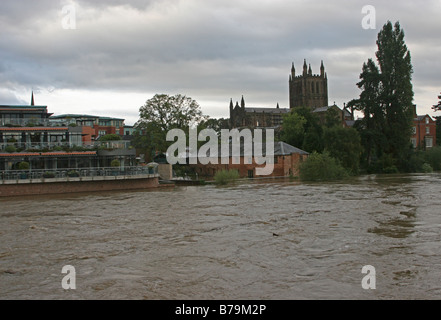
<point x="308" y="90"/>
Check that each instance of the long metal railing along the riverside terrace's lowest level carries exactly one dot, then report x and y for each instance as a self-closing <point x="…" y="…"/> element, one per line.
<point x="41" y="174"/>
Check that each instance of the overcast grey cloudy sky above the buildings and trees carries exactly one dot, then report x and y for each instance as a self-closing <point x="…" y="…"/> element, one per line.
<point x="121" y="53"/>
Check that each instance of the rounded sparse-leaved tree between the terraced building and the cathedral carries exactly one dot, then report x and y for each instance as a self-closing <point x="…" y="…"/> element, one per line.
<point x="161" y="114"/>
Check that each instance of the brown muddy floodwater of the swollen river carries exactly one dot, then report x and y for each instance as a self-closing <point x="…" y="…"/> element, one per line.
<point x="276" y="239"/>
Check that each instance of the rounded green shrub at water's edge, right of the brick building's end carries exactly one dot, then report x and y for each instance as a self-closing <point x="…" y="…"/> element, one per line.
<point x="321" y="167"/>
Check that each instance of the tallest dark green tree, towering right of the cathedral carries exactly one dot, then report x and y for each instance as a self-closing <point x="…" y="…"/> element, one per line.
<point x="386" y="98"/>
